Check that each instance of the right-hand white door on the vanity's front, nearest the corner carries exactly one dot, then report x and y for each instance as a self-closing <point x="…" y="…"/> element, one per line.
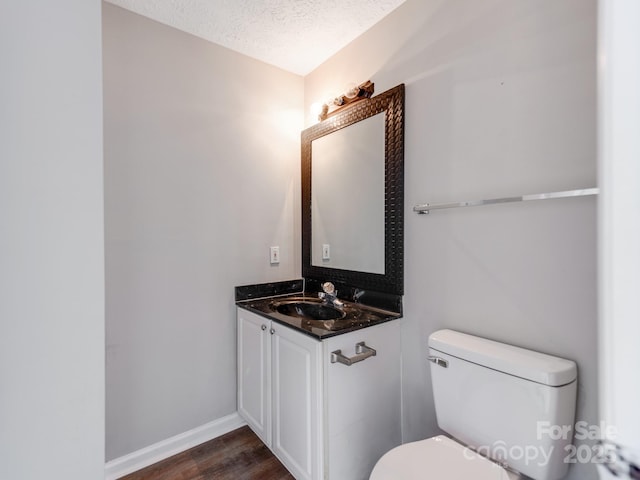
<point x="297" y="407"/>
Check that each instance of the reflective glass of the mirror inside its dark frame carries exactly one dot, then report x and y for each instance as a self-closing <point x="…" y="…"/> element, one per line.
<point x="347" y="203"/>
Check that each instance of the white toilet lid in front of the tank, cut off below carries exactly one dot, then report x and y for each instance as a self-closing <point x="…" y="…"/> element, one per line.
<point x="437" y="458"/>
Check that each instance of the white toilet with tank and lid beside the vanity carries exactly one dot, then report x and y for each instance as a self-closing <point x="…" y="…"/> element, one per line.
<point x="509" y="412"/>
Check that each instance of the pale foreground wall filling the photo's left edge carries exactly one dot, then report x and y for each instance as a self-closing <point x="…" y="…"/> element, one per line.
<point x="51" y="241"/>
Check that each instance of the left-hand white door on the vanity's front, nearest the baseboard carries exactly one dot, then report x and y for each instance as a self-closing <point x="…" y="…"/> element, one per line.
<point x="254" y="373"/>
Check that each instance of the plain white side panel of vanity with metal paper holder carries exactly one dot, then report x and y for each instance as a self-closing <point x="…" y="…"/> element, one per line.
<point x="363" y="402"/>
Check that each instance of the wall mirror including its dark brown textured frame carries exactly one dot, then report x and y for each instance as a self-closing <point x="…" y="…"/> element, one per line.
<point x="352" y="195"/>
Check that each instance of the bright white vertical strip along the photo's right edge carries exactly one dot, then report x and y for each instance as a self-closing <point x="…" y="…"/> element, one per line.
<point x="619" y="152"/>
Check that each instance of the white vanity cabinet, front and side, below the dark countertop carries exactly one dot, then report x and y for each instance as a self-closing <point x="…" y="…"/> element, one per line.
<point x="323" y="419"/>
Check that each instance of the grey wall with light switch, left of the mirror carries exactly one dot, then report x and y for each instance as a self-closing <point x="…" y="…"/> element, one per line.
<point x="202" y="152"/>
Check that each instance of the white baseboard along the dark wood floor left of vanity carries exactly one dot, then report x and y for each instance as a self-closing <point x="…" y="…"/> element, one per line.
<point x="144" y="457"/>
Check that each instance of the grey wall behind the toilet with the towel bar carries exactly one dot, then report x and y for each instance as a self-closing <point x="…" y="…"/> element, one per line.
<point x="500" y="101"/>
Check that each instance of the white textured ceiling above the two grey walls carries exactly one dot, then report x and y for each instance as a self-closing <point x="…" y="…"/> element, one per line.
<point x="296" y="35"/>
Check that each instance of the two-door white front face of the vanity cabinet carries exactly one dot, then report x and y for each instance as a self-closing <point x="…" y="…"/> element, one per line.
<point x="279" y="391"/>
